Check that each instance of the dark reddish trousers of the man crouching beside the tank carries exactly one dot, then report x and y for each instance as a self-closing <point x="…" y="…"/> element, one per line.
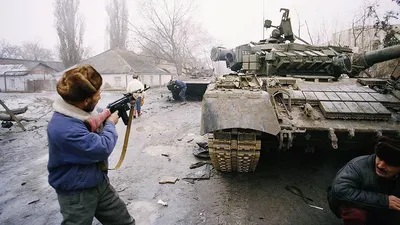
<point x="354" y="216"/>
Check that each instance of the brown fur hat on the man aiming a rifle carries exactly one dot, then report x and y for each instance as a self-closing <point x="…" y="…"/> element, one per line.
<point x="79" y="83"/>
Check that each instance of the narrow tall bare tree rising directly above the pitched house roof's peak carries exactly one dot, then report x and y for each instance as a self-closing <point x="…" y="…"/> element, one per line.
<point x="117" y="25"/>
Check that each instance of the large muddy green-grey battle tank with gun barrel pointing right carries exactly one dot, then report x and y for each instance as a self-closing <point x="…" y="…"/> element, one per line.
<point x="285" y="96"/>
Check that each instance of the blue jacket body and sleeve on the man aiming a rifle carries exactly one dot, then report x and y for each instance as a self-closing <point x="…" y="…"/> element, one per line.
<point x="75" y="153"/>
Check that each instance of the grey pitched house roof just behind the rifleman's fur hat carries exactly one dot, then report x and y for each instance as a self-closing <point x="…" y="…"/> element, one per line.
<point x="116" y="61"/>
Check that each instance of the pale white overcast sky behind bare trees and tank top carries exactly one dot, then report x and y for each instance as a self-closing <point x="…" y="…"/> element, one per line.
<point x="230" y="22"/>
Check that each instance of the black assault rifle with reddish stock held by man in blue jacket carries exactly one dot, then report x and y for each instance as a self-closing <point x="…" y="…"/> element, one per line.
<point x="122" y="105"/>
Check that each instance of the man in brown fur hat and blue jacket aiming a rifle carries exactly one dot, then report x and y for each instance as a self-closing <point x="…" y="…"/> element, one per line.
<point x="76" y="155"/>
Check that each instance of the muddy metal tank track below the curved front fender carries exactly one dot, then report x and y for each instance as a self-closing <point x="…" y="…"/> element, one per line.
<point x="235" y="150"/>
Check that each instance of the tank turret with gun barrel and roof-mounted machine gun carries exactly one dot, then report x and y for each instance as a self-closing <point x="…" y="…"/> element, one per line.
<point x="274" y="56"/>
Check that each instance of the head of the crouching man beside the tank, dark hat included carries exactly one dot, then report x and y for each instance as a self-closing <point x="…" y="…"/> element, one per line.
<point x="387" y="162"/>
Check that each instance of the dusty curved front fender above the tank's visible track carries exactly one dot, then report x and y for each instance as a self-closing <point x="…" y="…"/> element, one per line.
<point x="237" y="108"/>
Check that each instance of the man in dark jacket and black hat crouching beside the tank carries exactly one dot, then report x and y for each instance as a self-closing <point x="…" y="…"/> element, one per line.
<point x="367" y="189"/>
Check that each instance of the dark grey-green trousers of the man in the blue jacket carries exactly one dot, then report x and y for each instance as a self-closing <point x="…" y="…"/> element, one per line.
<point x="101" y="202"/>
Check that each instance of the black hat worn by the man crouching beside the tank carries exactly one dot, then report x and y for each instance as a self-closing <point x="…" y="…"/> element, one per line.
<point x="388" y="150"/>
